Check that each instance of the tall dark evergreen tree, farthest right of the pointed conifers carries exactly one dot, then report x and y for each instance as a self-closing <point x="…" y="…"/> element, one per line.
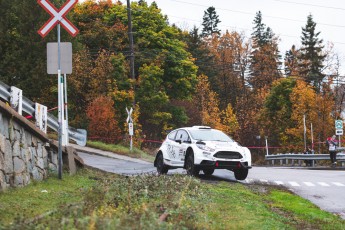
<point x="311" y="58"/>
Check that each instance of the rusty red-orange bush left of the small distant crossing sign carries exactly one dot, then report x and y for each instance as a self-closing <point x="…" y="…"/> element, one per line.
<point x="102" y="122"/>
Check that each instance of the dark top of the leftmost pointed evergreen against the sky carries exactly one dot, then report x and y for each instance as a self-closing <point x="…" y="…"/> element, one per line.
<point x="210" y="22"/>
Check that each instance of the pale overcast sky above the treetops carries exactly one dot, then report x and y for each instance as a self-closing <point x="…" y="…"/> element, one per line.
<point x="285" y="17"/>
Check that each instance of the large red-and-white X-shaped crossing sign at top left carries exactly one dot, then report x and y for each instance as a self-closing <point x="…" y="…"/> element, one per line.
<point x="57" y="16"/>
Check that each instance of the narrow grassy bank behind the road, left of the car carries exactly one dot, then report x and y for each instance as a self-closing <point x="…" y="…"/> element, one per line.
<point x="120" y="149"/>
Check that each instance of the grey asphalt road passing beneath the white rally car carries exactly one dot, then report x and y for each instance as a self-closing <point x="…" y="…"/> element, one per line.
<point x="325" y="188"/>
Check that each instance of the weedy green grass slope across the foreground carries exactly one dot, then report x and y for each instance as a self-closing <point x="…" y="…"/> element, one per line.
<point x="96" y="200"/>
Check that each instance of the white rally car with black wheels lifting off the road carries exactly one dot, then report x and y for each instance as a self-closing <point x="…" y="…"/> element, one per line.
<point x="202" y="148"/>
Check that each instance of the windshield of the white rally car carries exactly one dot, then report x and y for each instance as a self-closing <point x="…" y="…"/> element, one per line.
<point x="209" y="135"/>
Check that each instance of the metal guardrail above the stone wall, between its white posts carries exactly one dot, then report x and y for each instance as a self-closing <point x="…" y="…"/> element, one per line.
<point x="78" y="135"/>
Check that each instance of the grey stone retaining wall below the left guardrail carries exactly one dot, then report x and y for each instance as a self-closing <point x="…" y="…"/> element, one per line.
<point x="25" y="152"/>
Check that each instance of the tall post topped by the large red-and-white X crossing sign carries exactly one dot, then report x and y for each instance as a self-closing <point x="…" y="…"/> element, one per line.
<point x="57" y="18"/>
